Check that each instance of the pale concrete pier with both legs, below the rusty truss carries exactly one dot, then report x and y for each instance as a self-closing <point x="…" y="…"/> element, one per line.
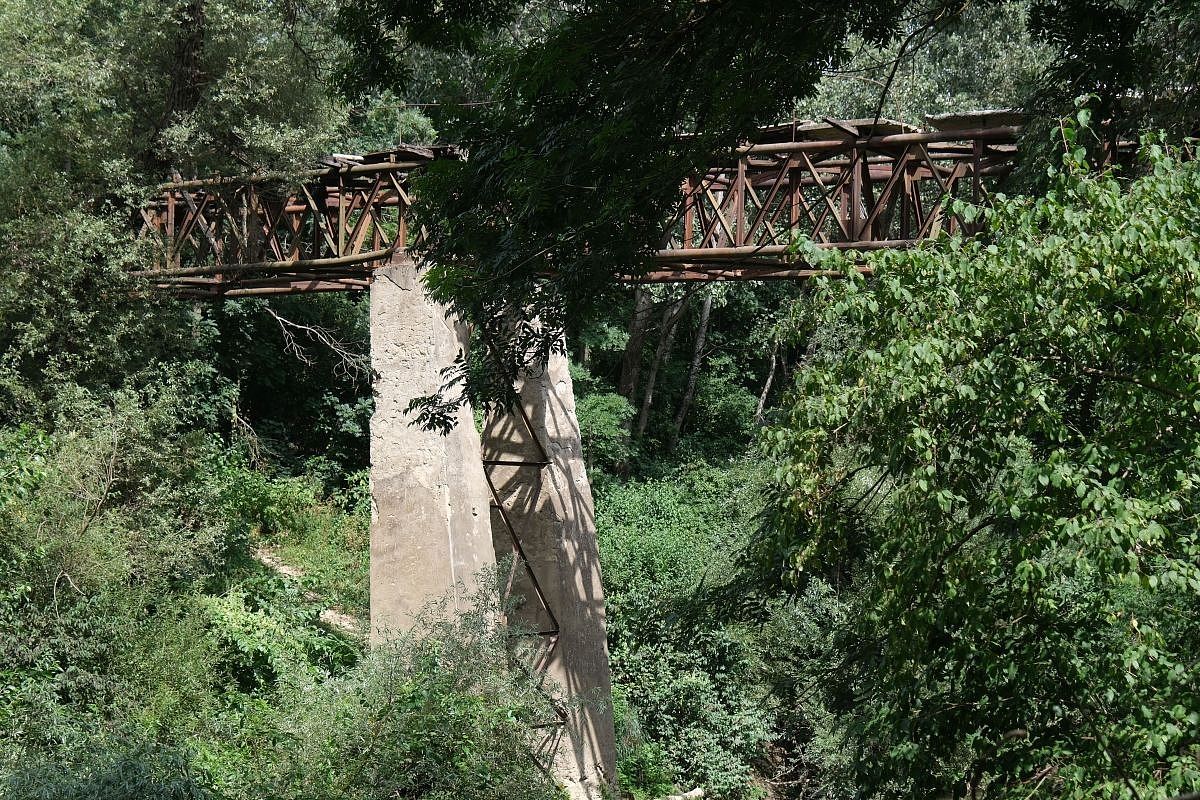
<point x="435" y="527"/>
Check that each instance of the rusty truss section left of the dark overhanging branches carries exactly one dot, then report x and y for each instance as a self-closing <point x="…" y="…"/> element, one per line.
<point x="322" y="231"/>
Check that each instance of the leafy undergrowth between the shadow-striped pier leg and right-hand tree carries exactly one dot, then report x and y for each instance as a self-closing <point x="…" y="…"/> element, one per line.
<point x="691" y="679"/>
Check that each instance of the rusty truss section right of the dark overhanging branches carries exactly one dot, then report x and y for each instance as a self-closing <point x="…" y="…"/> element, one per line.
<point x="742" y="220"/>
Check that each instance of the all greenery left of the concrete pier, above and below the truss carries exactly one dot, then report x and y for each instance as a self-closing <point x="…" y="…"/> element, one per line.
<point x="183" y="510"/>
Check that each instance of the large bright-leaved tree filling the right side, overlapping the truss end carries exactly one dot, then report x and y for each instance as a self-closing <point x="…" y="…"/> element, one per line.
<point x="993" y="458"/>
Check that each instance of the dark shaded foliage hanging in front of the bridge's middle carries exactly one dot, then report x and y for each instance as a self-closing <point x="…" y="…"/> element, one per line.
<point x="579" y="136"/>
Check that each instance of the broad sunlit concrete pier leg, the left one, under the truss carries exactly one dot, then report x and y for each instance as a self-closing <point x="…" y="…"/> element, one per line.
<point x="430" y="521"/>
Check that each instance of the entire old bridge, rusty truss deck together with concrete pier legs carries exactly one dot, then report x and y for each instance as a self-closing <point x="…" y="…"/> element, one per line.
<point x="514" y="495"/>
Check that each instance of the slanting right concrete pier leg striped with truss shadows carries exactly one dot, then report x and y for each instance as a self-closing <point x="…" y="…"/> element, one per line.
<point x="545" y="520"/>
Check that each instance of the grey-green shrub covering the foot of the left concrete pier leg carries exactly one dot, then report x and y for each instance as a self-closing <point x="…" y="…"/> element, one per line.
<point x="437" y="714"/>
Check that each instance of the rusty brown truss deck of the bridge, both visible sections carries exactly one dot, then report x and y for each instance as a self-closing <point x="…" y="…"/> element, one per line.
<point x="854" y="185"/>
